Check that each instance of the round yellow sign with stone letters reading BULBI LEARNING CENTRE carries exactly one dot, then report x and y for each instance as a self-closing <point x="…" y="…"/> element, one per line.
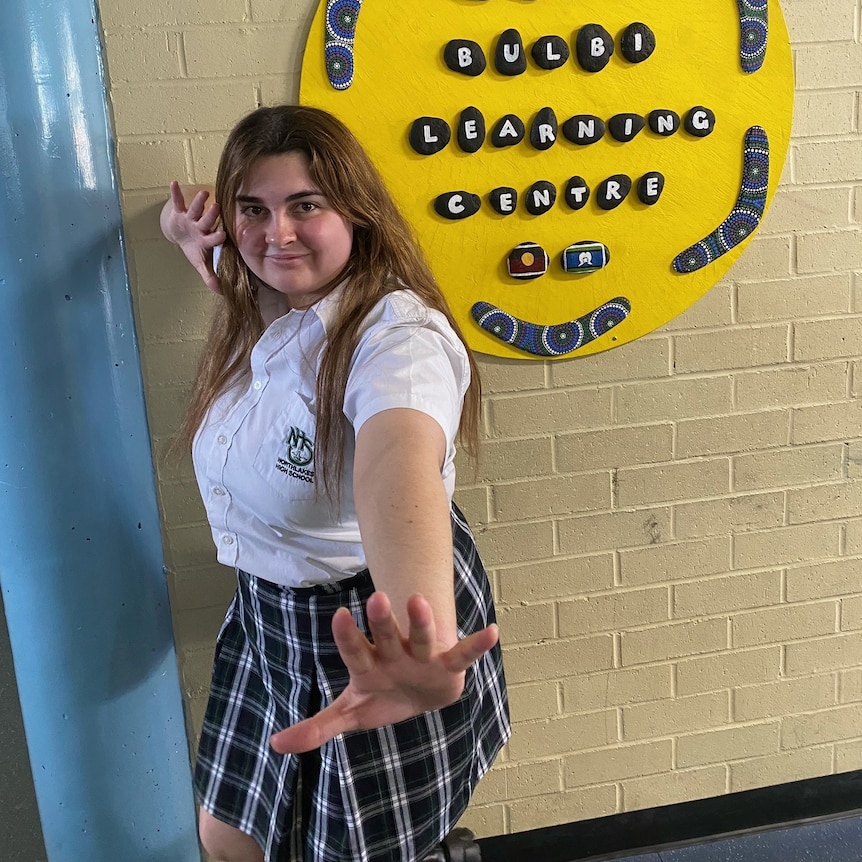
<point x="629" y="148"/>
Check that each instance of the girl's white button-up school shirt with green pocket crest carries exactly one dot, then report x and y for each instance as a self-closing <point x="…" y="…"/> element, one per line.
<point x="254" y="453"/>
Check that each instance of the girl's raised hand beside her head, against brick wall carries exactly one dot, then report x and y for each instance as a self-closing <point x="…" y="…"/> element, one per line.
<point x="194" y="231"/>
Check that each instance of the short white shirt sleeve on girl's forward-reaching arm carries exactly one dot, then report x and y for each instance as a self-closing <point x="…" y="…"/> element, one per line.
<point x="408" y="356"/>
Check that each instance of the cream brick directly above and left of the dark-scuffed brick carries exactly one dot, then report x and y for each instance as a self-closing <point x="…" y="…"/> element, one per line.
<point x="559" y="495"/>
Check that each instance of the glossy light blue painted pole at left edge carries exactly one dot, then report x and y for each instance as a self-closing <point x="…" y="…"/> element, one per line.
<point x="81" y="570"/>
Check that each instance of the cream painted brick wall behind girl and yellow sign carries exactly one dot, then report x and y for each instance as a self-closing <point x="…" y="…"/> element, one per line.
<point x="676" y="546"/>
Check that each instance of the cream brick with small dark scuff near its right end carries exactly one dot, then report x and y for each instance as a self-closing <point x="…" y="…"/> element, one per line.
<point x="614" y="530"/>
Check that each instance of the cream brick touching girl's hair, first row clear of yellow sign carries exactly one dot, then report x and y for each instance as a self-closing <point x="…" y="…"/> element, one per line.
<point x="532" y="415"/>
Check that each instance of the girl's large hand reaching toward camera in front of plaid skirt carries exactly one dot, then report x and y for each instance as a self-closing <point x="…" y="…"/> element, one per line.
<point x="392" y="679"/>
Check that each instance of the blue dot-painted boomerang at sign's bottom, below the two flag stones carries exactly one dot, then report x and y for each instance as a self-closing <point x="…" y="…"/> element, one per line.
<point x="555" y="339"/>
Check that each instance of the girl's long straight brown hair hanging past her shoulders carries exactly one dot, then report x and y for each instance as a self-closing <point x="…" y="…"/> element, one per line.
<point x="385" y="257"/>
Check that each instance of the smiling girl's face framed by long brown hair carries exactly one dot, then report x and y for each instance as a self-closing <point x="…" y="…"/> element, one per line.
<point x="287" y="232"/>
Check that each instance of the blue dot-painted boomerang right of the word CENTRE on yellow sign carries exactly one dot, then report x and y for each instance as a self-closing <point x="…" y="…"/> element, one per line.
<point x="746" y="215"/>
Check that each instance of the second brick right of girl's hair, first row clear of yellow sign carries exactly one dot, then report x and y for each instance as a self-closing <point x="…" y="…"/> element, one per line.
<point x="655" y="401"/>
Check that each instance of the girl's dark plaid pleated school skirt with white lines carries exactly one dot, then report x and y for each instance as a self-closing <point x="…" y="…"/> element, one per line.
<point x="385" y="795"/>
